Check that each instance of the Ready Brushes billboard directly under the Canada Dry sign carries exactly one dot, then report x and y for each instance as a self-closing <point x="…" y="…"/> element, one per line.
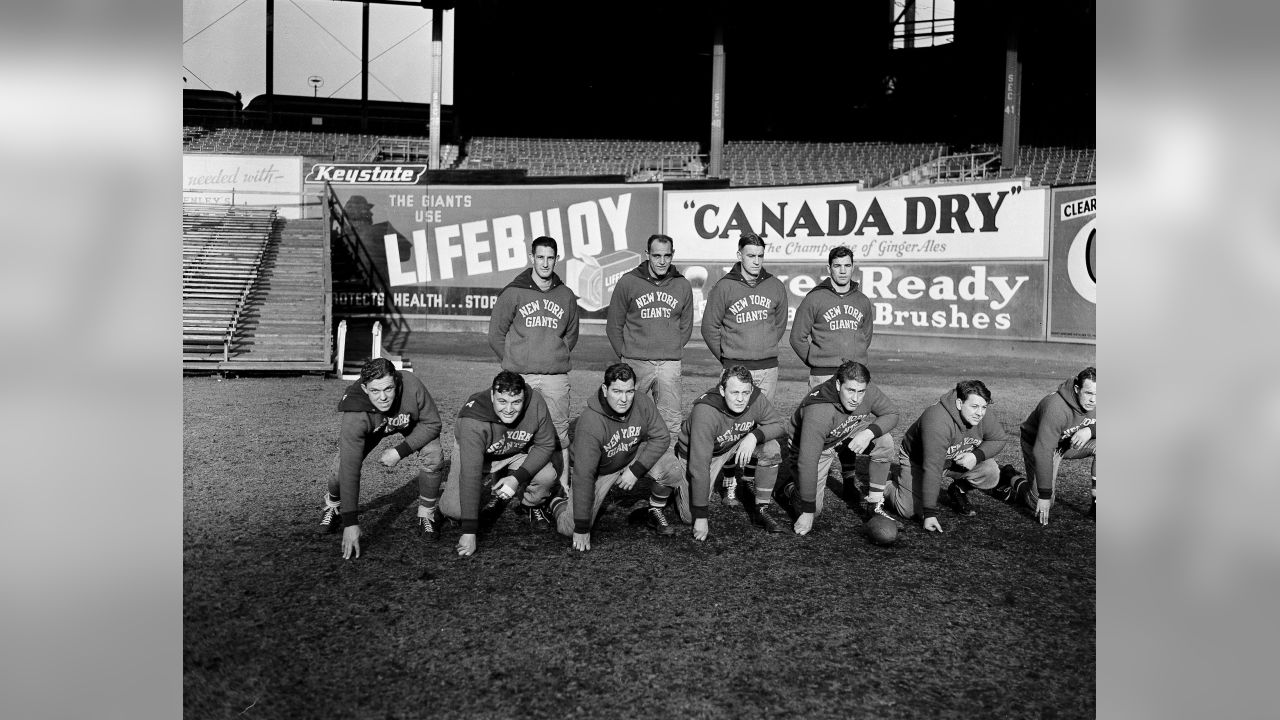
<point x="986" y="300"/>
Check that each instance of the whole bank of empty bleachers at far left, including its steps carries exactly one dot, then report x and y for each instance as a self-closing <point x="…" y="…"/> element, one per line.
<point x="257" y="293"/>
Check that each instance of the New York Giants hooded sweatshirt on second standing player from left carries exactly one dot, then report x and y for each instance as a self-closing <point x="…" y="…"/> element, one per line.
<point x="651" y="318"/>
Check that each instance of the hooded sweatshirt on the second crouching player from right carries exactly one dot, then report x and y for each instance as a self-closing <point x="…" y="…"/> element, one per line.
<point x="939" y="436"/>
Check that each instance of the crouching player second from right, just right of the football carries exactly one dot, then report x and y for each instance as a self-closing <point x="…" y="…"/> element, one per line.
<point x="957" y="438"/>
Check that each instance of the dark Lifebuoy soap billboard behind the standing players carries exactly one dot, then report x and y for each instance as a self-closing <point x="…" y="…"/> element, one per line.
<point x="449" y="250"/>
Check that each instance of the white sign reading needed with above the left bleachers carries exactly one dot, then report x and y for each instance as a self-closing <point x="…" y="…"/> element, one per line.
<point x="245" y="180"/>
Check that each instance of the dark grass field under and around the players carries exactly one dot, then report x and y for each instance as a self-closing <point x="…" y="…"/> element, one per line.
<point x="995" y="618"/>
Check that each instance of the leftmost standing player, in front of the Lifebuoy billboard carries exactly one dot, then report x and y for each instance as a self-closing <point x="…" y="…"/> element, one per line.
<point x="533" y="330"/>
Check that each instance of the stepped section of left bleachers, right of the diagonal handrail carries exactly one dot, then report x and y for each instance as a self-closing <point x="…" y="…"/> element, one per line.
<point x="284" y="326"/>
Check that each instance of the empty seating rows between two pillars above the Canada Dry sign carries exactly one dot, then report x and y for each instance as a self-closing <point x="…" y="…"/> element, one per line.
<point x="765" y="162"/>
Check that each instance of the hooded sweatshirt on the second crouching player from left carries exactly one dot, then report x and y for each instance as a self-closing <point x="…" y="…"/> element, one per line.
<point x="483" y="438"/>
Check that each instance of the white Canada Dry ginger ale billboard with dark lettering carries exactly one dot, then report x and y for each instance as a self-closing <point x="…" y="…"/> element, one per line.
<point x="994" y="221"/>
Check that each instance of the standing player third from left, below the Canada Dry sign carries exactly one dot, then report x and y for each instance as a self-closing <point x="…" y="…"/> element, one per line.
<point x="746" y="318"/>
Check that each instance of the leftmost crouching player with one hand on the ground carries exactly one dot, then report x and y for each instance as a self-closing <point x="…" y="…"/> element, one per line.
<point x="381" y="404"/>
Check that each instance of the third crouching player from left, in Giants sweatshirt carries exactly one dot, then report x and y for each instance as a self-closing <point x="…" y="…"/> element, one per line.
<point x="618" y="440"/>
